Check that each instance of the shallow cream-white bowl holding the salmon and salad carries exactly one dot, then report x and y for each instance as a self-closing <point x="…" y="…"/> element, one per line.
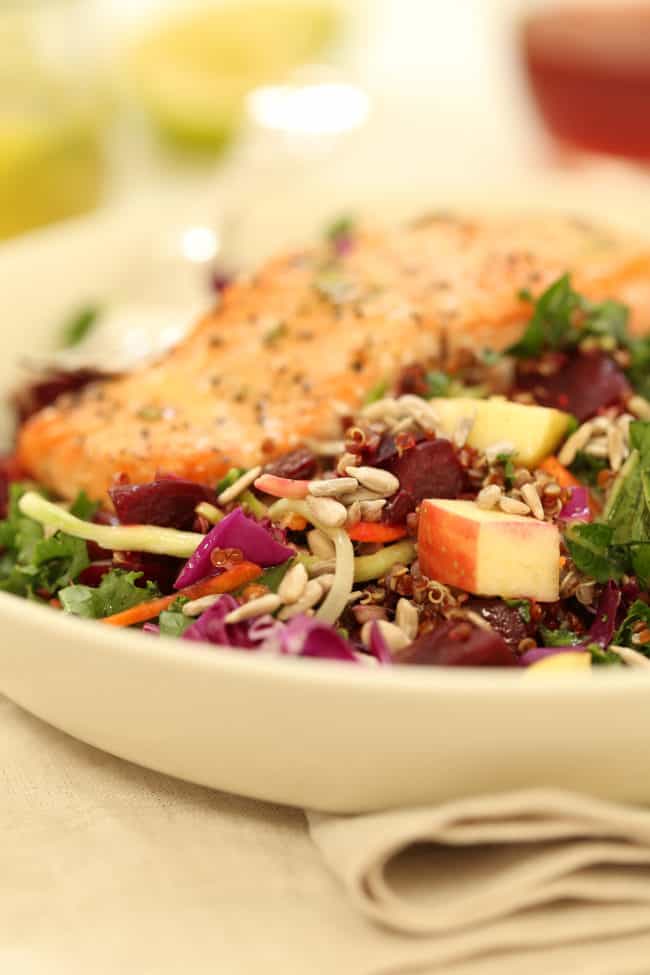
<point x="318" y="734"/>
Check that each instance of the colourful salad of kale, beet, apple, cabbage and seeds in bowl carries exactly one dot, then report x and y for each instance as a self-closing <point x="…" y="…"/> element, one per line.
<point x="493" y="511"/>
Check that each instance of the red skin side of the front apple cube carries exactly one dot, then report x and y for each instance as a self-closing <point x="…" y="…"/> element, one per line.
<point x="447" y="546"/>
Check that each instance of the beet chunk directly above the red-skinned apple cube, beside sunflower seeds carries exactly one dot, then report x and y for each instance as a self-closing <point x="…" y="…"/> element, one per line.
<point x="430" y="469"/>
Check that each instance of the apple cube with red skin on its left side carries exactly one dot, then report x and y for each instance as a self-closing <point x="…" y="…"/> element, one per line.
<point x="489" y="553"/>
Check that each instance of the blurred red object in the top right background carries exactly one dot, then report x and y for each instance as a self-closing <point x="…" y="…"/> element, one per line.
<point x="589" y="68"/>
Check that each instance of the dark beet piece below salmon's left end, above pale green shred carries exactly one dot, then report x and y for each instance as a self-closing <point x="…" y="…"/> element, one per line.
<point x="167" y="501"/>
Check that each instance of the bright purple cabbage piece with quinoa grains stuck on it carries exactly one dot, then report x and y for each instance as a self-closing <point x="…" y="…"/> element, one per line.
<point x="236" y="530"/>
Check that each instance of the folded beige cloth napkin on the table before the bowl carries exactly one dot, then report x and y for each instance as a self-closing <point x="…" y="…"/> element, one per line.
<point x="501" y="879"/>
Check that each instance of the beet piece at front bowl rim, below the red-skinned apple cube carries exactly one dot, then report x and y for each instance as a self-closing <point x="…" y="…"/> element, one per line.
<point x="459" y="644"/>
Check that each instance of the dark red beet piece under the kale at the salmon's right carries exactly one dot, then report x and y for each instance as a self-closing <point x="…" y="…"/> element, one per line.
<point x="585" y="384"/>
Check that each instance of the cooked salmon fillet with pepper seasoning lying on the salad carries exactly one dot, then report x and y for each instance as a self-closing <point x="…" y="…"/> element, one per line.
<point x="312" y="329"/>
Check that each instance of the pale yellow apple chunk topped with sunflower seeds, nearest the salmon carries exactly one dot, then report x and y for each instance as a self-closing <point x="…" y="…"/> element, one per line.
<point x="534" y="431"/>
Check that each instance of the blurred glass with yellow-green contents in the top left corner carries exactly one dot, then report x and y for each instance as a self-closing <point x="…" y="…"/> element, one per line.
<point x="52" y="114"/>
